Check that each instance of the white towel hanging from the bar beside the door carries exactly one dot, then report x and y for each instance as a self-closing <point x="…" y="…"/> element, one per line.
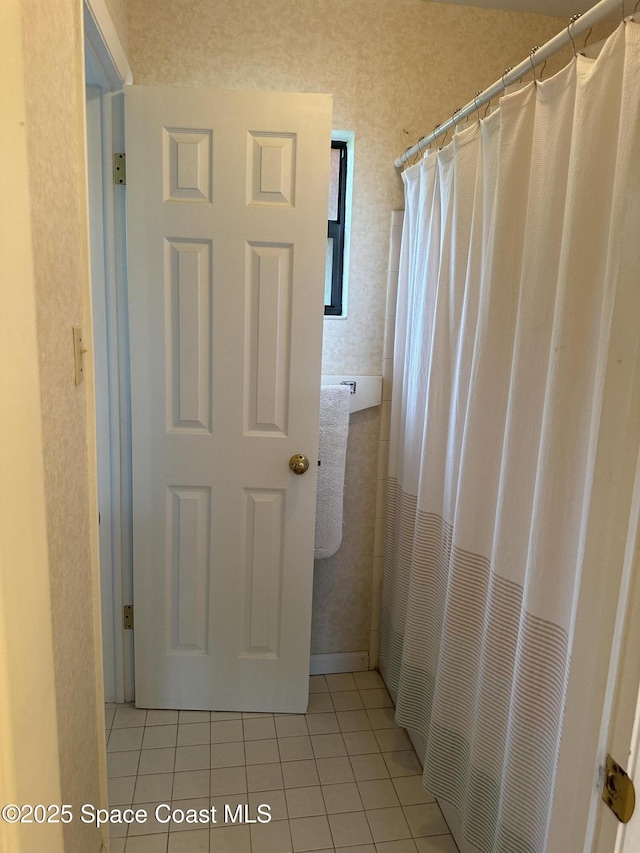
<point x="332" y="453"/>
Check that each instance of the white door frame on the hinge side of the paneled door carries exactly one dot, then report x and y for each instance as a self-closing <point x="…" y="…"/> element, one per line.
<point x="109" y="73"/>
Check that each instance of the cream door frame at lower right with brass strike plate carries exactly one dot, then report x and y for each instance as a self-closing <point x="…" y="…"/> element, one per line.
<point x="602" y="691"/>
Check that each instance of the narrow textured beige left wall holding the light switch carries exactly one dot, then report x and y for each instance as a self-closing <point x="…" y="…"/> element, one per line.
<point x="54" y="95"/>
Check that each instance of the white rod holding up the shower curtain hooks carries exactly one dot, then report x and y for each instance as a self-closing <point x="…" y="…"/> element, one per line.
<point x="538" y="55"/>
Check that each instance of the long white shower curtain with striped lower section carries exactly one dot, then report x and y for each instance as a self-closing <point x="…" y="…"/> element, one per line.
<point x="520" y="240"/>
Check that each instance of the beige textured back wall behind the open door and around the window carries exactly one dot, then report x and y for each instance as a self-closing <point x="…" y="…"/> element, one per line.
<point x="395" y="69"/>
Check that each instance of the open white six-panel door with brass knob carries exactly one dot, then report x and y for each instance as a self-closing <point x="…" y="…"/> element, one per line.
<point x="227" y="211"/>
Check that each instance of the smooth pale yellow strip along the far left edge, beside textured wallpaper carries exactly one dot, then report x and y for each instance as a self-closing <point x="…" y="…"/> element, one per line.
<point x="29" y="768"/>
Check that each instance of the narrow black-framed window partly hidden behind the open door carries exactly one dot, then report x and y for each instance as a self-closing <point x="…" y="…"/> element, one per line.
<point x="333" y="288"/>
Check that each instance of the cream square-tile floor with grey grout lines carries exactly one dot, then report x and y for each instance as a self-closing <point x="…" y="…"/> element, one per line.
<point x="342" y="777"/>
